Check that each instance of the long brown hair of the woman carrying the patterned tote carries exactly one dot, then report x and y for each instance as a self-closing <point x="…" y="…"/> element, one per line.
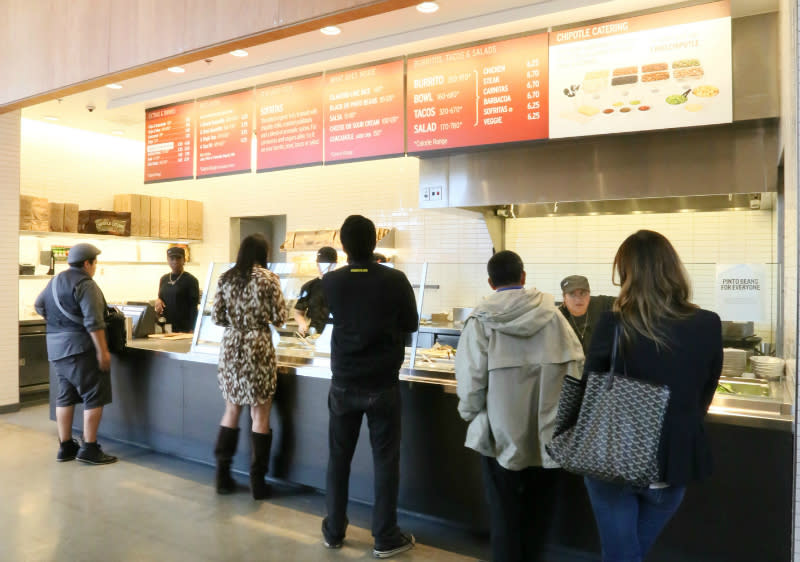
<point x="654" y="286"/>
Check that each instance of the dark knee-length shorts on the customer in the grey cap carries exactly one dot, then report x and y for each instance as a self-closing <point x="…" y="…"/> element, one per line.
<point x="80" y="381"/>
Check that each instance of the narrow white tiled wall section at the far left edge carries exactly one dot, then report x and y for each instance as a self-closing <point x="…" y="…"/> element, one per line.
<point x="9" y="225"/>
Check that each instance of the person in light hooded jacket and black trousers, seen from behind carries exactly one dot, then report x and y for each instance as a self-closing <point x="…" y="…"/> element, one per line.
<point x="514" y="352"/>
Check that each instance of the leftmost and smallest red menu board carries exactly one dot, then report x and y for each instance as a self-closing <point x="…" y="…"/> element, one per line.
<point x="170" y="138"/>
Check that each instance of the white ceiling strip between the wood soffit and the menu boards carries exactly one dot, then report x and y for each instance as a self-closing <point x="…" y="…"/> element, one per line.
<point x="388" y="35"/>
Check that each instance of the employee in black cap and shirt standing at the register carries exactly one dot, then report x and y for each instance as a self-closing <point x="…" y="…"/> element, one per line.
<point x="178" y="293"/>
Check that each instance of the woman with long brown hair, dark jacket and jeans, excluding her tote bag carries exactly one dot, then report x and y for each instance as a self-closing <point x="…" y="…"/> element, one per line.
<point x="666" y="340"/>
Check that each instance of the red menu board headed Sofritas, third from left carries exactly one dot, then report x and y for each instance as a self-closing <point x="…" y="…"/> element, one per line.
<point x="289" y="118"/>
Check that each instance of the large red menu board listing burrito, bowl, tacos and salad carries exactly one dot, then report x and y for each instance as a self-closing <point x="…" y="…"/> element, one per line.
<point x="483" y="94"/>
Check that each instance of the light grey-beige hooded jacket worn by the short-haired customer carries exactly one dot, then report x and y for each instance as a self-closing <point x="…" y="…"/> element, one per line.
<point x="514" y="352"/>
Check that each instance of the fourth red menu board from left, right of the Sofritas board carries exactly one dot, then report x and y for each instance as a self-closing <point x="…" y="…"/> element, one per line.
<point x="364" y="112"/>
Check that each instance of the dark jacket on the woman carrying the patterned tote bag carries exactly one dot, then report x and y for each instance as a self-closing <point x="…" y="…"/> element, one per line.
<point x="691" y="369"/>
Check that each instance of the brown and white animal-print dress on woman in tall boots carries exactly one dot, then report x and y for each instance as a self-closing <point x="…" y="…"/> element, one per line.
<point x="247" y="358"/>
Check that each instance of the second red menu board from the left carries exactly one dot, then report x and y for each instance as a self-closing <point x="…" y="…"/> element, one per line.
<point x="224" y="133"/>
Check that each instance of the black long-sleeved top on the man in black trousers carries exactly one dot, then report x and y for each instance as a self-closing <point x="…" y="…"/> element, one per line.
<point x="373" y="308"/>
